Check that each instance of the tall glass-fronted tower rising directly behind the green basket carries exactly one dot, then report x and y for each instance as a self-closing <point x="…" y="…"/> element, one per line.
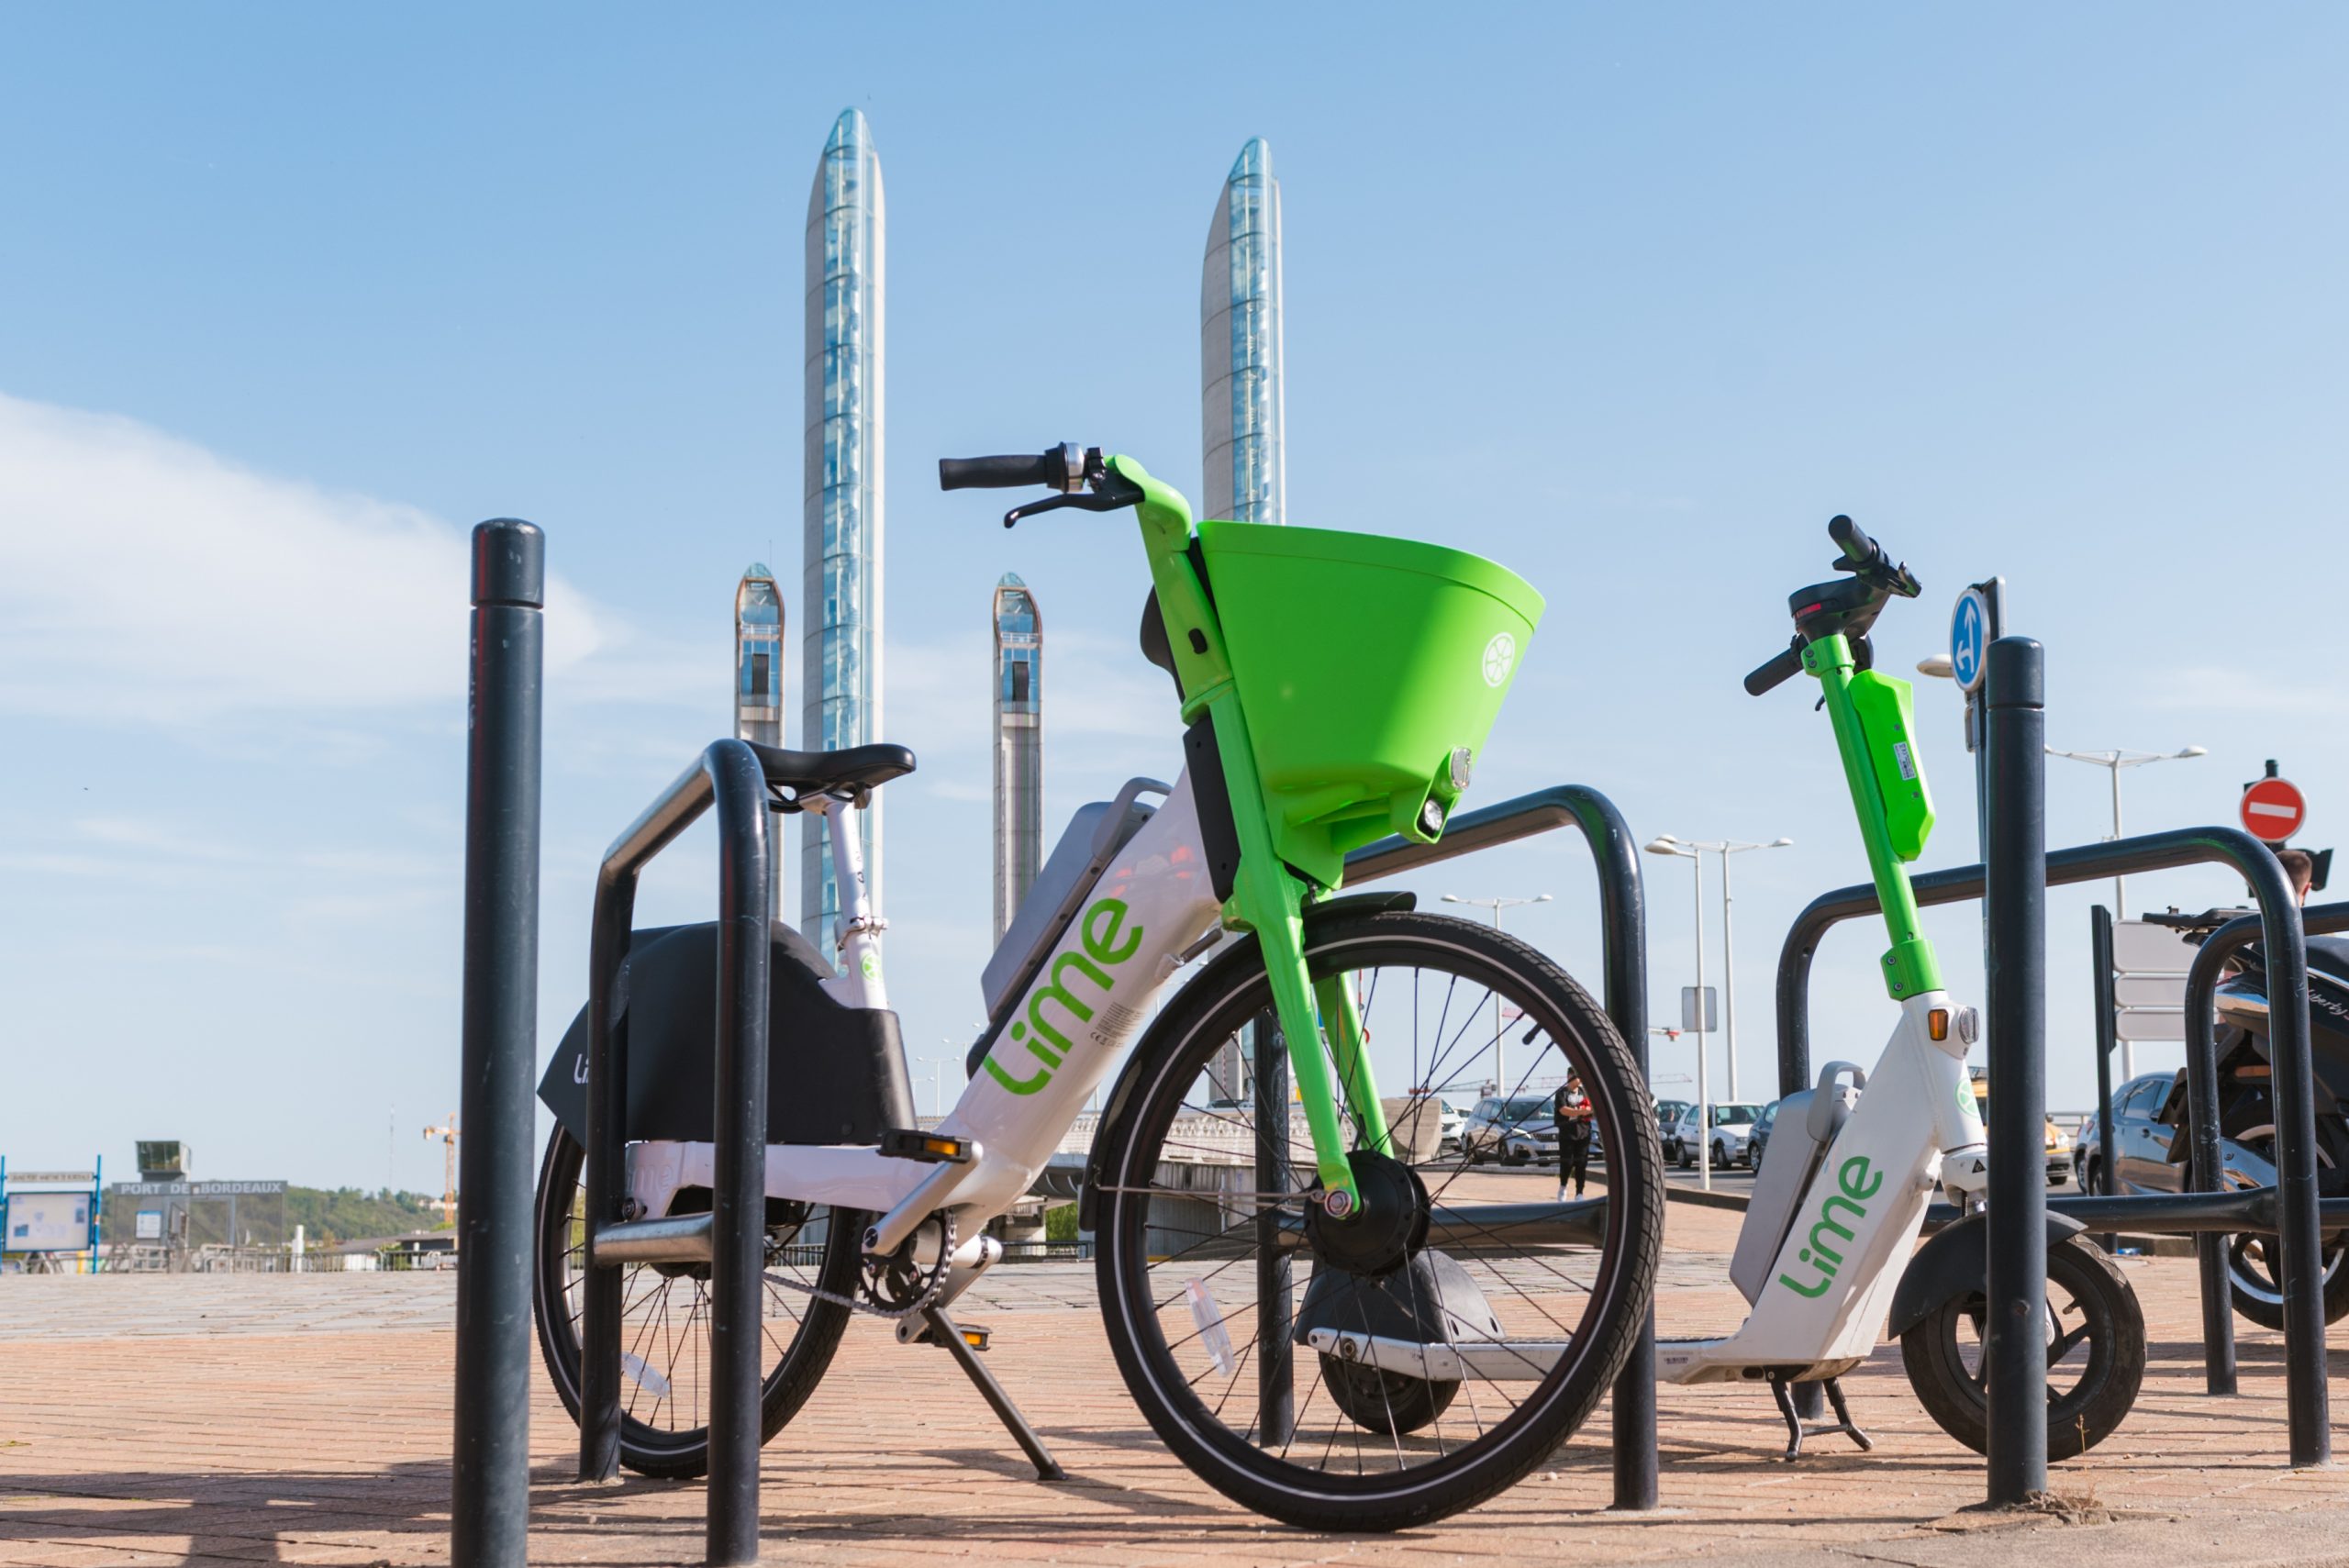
<point x="1239" y="346"/>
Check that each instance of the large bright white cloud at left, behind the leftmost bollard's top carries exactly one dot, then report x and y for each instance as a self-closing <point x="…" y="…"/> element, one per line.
<point x="149" y="579"/>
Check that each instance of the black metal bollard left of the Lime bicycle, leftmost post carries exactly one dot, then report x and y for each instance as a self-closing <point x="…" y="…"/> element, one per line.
<point x="499" y="1029"/>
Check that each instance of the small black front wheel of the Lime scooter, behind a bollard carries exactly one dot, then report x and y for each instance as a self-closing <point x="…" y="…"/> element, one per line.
<point x="2096" y="1356"/>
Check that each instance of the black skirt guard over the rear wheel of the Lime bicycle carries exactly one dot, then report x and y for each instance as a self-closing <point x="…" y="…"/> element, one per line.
<point x="835" y="1074"/>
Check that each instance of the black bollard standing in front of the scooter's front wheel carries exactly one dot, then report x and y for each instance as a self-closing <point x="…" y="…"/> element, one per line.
<point x="2014" y="912"/>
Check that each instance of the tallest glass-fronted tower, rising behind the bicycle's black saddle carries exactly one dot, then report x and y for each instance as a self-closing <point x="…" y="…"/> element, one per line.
<point x="842" y="642"/>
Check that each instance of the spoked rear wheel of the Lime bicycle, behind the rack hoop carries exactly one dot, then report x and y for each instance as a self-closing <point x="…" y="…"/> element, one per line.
<point x="666" y="1318"/>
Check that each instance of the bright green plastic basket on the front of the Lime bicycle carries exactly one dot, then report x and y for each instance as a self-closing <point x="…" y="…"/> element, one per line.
<point x="1366" y="665"/>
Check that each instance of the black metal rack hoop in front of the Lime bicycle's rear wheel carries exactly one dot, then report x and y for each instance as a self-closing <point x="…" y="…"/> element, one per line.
<point x="732" y="1238"/>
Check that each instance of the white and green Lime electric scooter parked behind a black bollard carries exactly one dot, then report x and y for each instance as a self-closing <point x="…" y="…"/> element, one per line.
<point x="1855" y="1163"/>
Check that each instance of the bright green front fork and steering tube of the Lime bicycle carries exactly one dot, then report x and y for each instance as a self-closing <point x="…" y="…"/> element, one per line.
<point x="1267" y="898"/>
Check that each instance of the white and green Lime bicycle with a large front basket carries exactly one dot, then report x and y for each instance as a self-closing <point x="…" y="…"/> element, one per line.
<point x="1333" y="689"/>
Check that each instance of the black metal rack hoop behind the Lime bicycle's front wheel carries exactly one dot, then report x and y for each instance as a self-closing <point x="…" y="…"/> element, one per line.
<point x="1624" y="994"/>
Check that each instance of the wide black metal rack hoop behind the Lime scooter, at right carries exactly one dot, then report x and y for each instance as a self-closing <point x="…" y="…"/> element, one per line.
<point x="2291" y="1210"/>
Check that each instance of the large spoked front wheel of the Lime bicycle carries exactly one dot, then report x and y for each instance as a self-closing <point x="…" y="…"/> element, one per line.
<point x="1415" y="1360"/>
